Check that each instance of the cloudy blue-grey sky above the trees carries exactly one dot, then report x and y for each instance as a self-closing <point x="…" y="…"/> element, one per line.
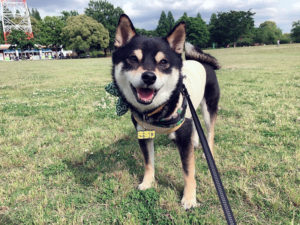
<point x="145" y="14"/>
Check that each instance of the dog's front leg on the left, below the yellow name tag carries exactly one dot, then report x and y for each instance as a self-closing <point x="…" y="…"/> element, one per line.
<point x="147" y="148"/>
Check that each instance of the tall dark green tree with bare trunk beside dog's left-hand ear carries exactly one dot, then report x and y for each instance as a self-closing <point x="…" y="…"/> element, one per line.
<point x="106" y="14"/>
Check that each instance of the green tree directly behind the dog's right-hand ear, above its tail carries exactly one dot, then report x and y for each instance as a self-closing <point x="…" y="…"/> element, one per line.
<point x="196" y="30"/>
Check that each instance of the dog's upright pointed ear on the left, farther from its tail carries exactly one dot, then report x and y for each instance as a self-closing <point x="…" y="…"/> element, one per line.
<point x="125" y="31"/>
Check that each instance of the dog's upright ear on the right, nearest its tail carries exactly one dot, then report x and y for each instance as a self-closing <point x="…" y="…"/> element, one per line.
<point x="176" y="38"/>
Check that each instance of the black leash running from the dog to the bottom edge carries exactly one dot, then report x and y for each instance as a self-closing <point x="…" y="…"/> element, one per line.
<point x="211" y="163"/>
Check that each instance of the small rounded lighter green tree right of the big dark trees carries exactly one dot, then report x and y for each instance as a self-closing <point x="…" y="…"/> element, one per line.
<point x="268" y="33"/>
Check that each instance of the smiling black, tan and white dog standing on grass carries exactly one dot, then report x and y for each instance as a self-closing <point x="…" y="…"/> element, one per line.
<point x="149" y="73"/>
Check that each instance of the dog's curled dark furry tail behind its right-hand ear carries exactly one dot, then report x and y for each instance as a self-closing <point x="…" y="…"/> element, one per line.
<point x="194" y="53"/>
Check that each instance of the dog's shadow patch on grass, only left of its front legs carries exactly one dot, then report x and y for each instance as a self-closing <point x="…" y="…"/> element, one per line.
<point x="118" y="155"/>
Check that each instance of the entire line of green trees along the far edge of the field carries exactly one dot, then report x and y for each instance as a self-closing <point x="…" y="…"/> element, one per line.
<point x="92" y="33"/>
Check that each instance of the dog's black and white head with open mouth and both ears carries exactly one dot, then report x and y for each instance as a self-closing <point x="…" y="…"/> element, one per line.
<point x="147" y="70"/>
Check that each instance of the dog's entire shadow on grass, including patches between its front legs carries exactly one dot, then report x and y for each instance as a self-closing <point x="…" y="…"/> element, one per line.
<point x="122" y="154"/>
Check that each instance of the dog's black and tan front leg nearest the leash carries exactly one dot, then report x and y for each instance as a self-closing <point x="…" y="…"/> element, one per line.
<point x="186" y="149"/>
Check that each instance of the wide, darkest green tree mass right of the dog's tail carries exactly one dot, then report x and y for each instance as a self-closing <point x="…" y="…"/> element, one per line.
<point x="227" y="27"/>
